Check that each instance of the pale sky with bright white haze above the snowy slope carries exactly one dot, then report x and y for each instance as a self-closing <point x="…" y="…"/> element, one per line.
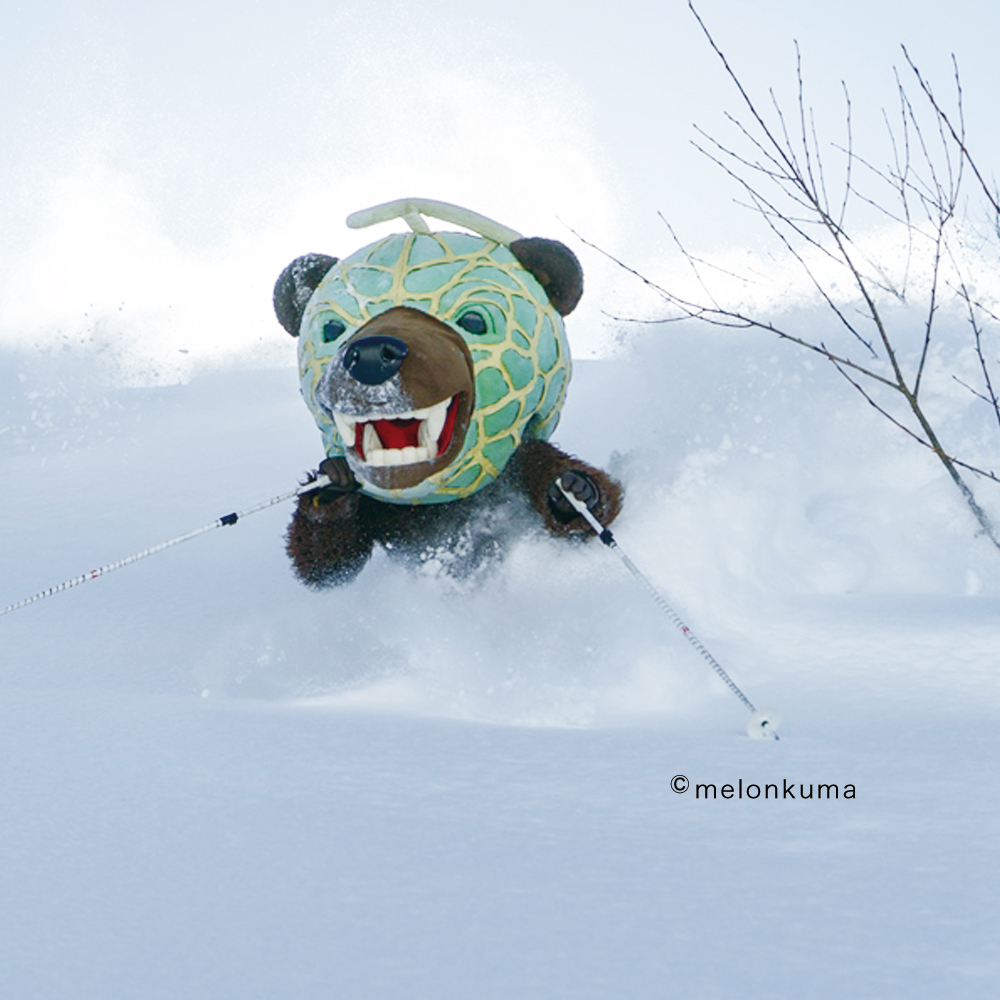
<point x="161" y="163"/>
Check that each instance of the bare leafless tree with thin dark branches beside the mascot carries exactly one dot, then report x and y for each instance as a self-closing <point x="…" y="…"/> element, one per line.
<point x="783" y="178"/>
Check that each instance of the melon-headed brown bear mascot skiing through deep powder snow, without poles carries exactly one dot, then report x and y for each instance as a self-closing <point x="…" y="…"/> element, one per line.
<point x="435" y="365"/>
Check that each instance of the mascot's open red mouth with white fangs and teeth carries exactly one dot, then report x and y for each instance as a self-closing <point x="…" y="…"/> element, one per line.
<point x="401" y="438"/>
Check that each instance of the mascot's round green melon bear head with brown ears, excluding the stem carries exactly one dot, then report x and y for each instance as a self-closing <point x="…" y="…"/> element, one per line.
<point x="427" y="357"/>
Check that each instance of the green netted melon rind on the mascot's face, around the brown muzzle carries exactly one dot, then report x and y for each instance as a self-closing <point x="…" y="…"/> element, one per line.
<point x="521" y="363"/>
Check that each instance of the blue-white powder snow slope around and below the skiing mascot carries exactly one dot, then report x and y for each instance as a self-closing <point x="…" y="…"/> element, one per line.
<point x="215" y="783"/>
